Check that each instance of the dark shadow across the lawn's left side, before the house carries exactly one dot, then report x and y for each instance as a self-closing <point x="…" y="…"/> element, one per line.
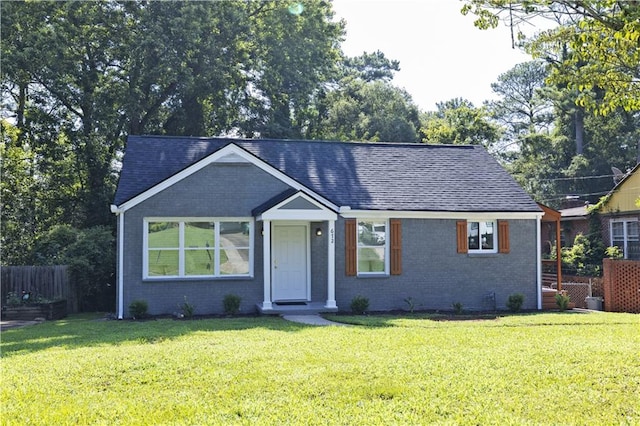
<point x="90" y="330"/>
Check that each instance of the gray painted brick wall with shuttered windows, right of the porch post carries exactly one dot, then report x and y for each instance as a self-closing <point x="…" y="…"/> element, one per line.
<point x="435" y="276"/>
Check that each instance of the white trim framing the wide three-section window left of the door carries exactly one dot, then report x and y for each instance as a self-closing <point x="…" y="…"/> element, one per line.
<point x="181" y="249"/>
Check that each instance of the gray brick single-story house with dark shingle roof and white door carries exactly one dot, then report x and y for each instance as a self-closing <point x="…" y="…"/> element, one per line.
<point x="312" y="224"/>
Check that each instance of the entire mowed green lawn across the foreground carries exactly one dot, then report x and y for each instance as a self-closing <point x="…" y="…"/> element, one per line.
<point x="548" y="368"/>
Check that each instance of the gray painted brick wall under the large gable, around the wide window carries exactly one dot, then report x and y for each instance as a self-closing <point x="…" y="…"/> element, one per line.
<point x="203" y="194"/>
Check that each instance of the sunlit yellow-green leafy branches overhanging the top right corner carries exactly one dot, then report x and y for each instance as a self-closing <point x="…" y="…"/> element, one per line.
<point x="594" y="49"/>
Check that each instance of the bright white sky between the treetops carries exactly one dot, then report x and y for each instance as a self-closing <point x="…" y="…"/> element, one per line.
<point x="442" y="55"/>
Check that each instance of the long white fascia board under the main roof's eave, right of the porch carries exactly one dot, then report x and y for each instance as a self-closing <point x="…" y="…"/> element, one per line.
<point x="353" y="214"/>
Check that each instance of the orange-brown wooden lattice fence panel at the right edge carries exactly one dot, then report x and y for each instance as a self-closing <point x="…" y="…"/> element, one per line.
<point x="621" y="285"/>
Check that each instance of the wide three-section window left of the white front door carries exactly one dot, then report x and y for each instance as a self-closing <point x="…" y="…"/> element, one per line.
<point x="198" y="247"/>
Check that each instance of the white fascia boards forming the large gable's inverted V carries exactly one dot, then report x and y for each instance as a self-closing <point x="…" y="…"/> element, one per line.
<point x="223" y="155"/>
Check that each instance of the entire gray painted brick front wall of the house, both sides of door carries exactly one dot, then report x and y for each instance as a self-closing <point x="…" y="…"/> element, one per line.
<point x="434" y="275"/>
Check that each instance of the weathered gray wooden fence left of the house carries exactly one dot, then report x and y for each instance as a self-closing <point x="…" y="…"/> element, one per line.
<point x="49" y="282"/>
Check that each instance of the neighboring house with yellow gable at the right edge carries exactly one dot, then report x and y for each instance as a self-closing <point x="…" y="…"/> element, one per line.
<point x="620" y="215"/>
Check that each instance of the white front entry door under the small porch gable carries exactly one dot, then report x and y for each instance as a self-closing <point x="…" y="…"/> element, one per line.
<point x="289" y="263"/>
